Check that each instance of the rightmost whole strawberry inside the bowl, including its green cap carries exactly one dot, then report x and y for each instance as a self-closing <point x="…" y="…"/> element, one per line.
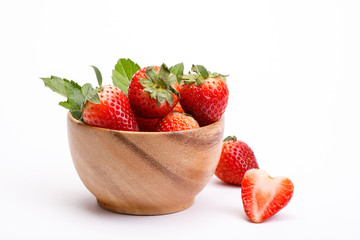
<point x="204" y="95"/>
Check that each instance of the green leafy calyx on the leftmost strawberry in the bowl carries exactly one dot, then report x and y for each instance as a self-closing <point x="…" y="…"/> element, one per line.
<point x="76" y="95"/>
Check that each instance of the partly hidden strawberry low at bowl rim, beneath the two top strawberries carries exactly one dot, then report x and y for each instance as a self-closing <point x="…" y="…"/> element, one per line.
<point x="176" y="121"/>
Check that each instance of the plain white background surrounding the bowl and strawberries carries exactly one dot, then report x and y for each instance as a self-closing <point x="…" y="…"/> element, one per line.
<point x="294" y="98"/>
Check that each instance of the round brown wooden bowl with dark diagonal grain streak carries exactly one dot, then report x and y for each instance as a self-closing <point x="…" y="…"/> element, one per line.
<point x="144" y="173"/>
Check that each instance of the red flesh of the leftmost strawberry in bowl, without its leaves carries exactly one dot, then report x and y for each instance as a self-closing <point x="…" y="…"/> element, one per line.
<point x="113" y="112"/>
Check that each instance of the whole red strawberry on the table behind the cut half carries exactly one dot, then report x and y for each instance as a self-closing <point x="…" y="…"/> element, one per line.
<point x="236" y="158"/>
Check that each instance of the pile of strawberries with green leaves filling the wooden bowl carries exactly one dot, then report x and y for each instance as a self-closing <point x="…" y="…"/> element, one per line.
<point x="152" y="98"/>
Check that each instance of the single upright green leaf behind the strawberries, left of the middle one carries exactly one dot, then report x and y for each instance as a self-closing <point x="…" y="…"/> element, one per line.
<point x="123" y="72"/>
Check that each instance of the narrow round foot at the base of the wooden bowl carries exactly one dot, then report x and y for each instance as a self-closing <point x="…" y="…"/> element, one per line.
<point x="145" y="211"/>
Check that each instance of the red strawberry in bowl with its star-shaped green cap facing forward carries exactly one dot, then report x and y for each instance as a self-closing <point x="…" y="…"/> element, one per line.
<point x="153" y="92"/>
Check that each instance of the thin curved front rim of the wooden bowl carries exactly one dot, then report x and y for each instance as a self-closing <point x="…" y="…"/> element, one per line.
<point x="78" y="122"/>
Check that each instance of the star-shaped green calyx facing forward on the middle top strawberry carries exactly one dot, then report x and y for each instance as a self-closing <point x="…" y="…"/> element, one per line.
<point x="160" y="84"/>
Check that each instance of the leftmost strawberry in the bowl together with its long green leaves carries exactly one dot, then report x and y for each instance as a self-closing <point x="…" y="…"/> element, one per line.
<point x="106" y="107"/>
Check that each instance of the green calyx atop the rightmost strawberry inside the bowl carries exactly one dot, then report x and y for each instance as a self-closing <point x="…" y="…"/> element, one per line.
<point x="200" y="73"/>
